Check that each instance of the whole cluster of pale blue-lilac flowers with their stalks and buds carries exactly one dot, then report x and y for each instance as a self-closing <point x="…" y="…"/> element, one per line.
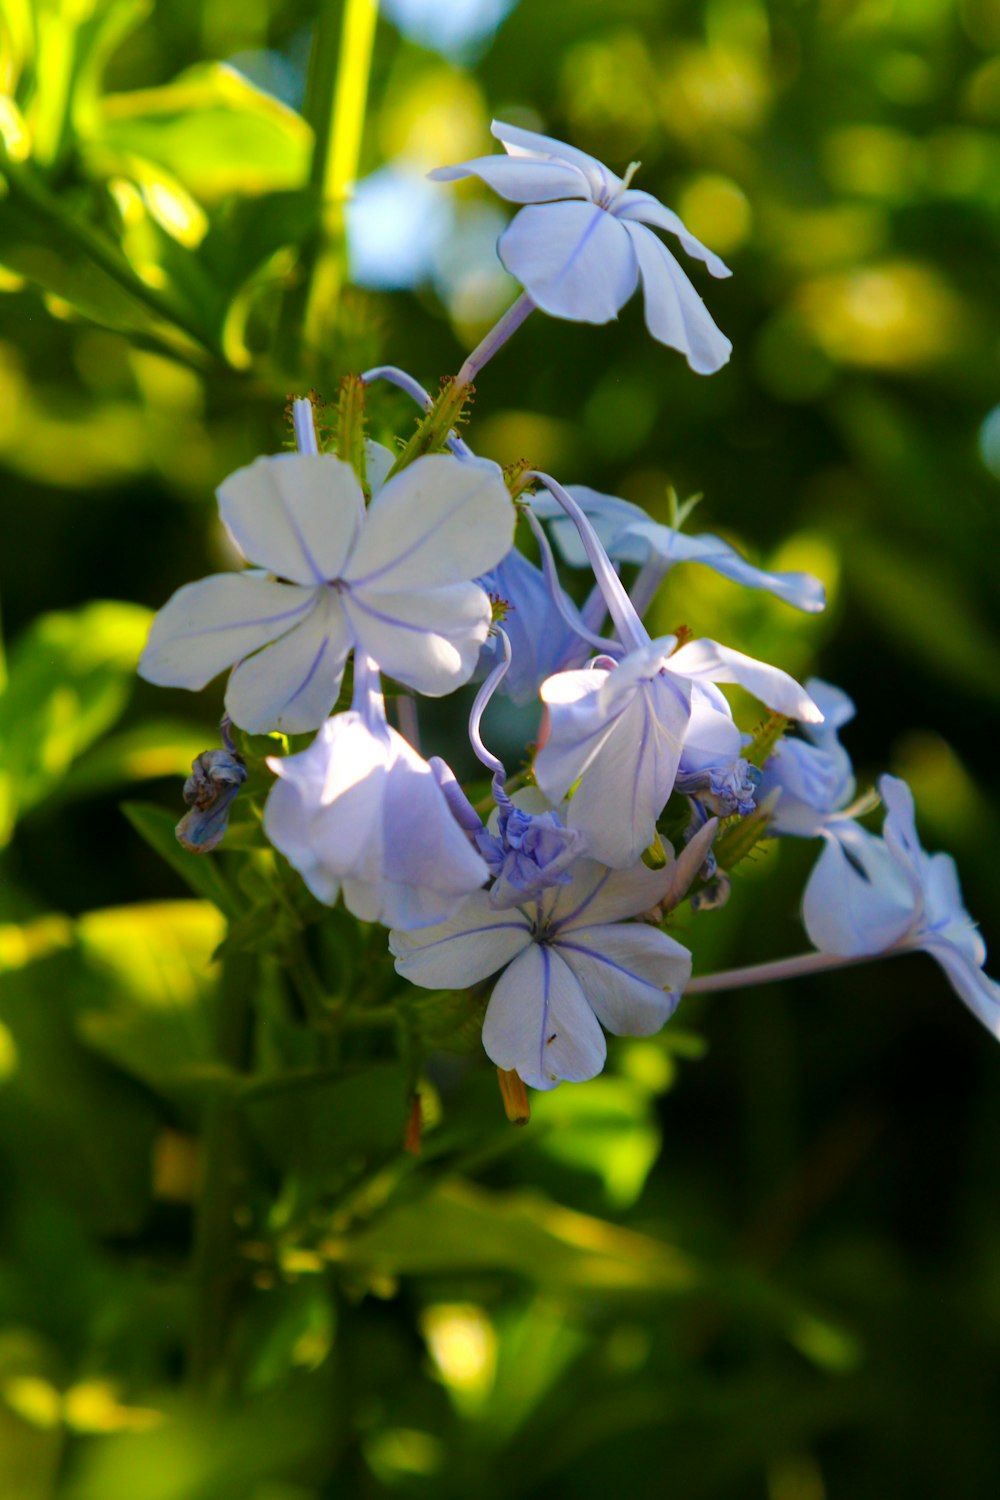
<point x="407" y="565"/>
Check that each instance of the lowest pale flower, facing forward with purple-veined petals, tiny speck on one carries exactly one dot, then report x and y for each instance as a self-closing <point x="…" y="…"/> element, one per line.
<point x="572" y="964"/>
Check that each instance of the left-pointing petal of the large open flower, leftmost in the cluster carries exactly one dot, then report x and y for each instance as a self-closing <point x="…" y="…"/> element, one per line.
<point x="211" y="625"/>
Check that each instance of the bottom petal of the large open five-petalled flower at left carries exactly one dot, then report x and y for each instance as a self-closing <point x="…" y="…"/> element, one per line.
<point x="293" y="685"/>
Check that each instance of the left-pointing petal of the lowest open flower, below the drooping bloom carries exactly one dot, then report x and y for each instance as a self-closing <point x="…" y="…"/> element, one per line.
<point x="466" y="949"/>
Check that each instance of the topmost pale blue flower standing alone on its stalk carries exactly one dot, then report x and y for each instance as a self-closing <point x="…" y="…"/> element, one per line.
<point x="582" y="245"/>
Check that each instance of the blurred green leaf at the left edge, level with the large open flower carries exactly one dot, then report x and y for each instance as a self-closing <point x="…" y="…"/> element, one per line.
<point x="70" y="680"/>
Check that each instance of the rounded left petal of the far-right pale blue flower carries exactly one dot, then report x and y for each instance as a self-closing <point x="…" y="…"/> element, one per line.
<point x="857" y="905"/>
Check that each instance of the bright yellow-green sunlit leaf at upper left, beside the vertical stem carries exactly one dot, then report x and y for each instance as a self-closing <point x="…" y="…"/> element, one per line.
<point x="214" y="131"/>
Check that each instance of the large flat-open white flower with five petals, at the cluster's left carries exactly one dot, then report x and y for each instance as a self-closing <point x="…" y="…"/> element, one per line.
<point x="395" y="583"/>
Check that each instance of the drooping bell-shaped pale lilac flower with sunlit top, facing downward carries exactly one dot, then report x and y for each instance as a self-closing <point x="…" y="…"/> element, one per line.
<point x="362" y="814"/>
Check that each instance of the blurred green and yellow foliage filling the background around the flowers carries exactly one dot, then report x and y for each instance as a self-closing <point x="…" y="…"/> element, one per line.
<point x="759" y="1256"/>
